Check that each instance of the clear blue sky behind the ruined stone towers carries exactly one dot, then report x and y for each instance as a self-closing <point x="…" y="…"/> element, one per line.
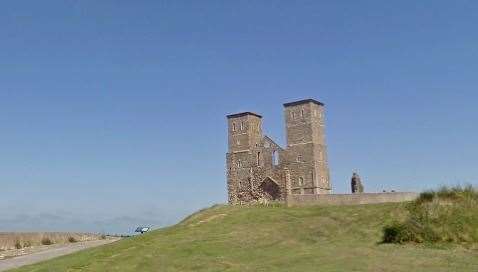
<point x="112" y="113"/>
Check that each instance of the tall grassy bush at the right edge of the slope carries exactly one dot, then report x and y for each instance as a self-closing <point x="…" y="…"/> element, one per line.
<point x="446" y="215"/>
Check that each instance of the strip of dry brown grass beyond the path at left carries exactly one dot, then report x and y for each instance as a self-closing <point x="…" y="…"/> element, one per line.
<point x="12" y="240"/>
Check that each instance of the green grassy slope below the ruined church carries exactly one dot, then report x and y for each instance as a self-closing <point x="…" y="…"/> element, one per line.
<point x="270" y="239"/>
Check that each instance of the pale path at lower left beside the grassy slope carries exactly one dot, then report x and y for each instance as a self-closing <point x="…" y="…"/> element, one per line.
<point x="50" y="253"/>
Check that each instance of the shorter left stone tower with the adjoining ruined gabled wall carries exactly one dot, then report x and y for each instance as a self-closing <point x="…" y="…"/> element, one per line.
<point x="251" y="173"/>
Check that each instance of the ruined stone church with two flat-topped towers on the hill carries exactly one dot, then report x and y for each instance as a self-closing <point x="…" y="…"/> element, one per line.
<point x="259" y="169"/>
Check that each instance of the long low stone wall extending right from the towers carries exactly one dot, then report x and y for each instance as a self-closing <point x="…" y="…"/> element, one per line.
<point x="349" y="199"/>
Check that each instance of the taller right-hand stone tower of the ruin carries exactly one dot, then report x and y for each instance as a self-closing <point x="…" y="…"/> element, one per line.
<point x="306" y="148"/>
